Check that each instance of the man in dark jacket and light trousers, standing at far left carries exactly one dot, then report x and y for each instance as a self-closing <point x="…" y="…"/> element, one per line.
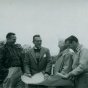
<point x="10" y="63"/>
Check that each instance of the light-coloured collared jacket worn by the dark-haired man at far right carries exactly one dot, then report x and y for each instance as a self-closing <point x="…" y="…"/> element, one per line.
<point x="80" y="61"/>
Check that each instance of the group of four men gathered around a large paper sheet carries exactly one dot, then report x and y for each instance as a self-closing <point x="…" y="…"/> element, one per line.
<point x="16" y="60"/>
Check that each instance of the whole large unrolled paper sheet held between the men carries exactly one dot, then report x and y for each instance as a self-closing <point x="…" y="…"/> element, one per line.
<point x="53" y="80"/>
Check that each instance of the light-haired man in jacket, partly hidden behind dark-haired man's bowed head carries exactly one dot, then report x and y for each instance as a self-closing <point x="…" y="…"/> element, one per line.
<point x="63" y="60"/>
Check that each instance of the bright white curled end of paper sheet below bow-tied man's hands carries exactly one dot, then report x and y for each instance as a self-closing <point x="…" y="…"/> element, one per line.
<point x="37" y="78"/>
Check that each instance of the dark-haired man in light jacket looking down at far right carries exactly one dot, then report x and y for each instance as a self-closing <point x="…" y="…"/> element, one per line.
<point x="80" y="63"/>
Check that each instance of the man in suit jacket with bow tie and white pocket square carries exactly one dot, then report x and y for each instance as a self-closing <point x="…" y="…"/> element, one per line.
<point x="37" y="60"/>
